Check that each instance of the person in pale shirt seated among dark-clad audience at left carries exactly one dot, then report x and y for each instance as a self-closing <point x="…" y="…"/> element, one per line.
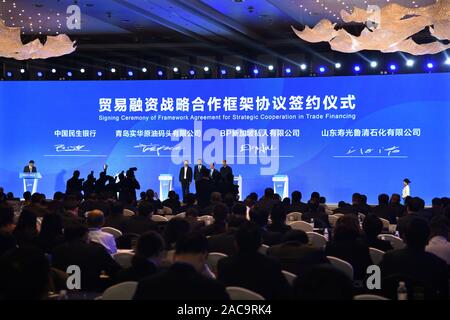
<point x="95" y="220"/>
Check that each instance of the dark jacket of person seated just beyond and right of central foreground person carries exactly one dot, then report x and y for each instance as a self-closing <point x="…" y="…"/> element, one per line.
<point x="294" y="255"/>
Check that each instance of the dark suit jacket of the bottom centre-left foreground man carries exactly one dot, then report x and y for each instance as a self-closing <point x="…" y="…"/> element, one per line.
<point x="180" y="282"/>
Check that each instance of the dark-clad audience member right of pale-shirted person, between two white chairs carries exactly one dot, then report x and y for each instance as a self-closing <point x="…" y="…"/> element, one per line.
<point x="142" y="222"/>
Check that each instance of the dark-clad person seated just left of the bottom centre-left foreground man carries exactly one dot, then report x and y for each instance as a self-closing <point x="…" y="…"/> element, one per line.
<point x="146" y="260"/>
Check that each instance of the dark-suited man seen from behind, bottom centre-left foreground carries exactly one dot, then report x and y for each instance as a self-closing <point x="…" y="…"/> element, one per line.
<point x="183" y="280"/>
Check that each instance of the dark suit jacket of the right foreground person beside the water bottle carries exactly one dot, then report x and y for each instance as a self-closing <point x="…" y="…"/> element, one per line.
<point x="419" y="265"/>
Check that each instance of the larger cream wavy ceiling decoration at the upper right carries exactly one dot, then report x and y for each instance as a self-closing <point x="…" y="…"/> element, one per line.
<point x="395" y="26"/>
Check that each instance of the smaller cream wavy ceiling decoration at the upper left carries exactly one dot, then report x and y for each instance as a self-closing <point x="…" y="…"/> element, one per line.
<point x="11" y="45"/>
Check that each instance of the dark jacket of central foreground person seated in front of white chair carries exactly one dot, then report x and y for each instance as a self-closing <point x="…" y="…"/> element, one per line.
<point x="255" y="272"/>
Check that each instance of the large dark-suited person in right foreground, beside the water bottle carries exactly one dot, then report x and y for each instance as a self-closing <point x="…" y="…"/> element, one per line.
<point x="414" y="262"/>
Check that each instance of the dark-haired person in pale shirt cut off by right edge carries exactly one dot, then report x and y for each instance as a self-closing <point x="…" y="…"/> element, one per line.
<point x="438" y="243"/>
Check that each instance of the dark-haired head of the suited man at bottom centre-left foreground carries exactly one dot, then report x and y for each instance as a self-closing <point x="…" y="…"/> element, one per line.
<point x="192" y="249"/>
